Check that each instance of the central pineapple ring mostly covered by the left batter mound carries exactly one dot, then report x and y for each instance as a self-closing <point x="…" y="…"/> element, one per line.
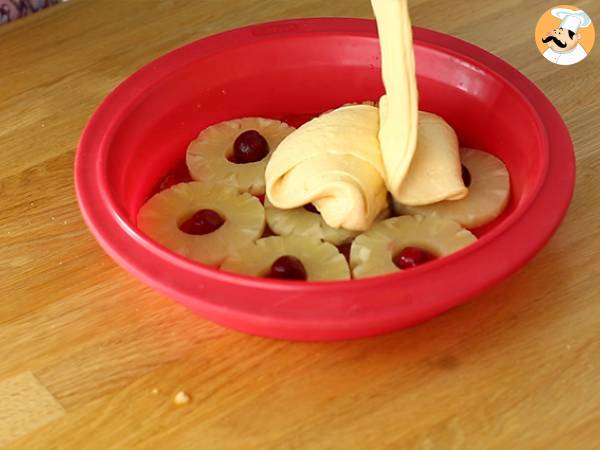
<point x="300" y="222"/>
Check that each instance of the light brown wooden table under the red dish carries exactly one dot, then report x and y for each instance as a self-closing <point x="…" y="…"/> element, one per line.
<point x="91" y="358"/>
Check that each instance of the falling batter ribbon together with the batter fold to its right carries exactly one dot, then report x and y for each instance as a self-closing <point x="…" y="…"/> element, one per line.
<point x="419" y="150"/>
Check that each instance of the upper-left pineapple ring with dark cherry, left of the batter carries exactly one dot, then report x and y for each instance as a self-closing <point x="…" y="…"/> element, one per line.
<point x="207" y="155"/>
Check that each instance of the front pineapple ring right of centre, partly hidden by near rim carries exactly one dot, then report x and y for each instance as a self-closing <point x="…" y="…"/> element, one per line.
<point x="372" y="252"/>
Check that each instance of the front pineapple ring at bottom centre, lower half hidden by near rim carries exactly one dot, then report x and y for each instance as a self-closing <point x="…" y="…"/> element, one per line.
<point x="321" y="260"/>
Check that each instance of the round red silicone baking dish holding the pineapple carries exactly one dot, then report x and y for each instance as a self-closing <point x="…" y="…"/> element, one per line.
<point x="295" y="69"/>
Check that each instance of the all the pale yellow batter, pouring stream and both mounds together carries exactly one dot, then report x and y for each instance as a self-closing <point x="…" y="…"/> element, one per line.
<point x="344" y="160"/>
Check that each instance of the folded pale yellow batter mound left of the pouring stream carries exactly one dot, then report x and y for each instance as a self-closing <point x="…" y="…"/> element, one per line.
<point x="334" y="162"/>
